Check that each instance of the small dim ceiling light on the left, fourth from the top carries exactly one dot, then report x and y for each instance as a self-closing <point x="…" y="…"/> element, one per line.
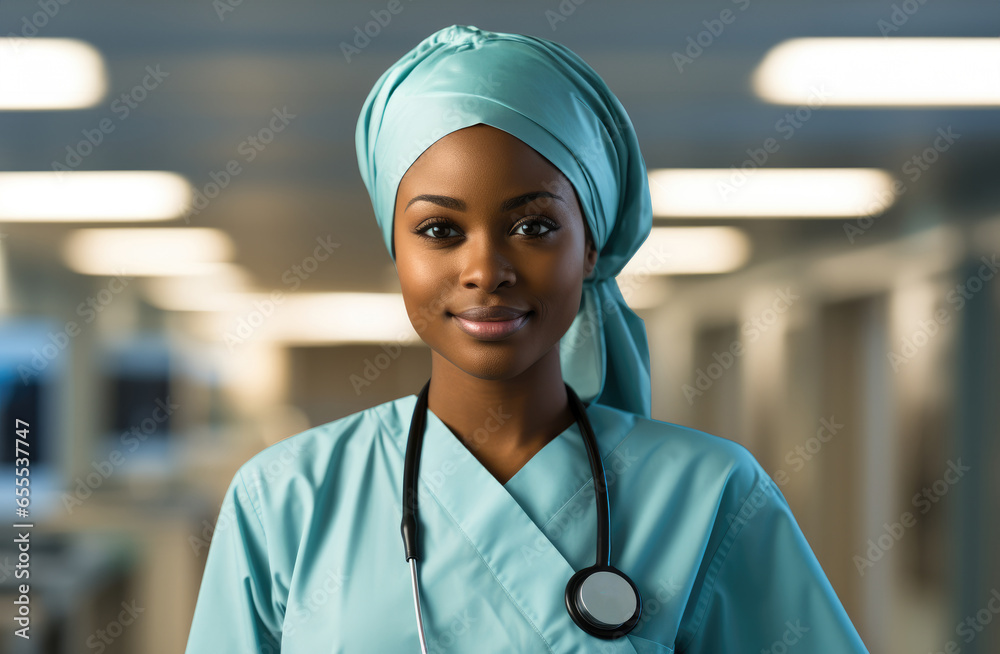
<point x="218" y="291"/>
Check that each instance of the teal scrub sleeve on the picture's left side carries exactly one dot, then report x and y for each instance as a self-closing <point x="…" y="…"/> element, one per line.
<point x="234" y="612"/>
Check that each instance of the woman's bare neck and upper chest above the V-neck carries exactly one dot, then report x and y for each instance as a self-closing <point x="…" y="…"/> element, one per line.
<point x="502" y="422"/>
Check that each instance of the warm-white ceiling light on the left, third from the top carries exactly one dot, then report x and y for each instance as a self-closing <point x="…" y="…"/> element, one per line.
<point x="145" y="251"/>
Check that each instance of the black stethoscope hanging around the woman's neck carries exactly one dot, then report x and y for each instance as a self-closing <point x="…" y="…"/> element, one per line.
<point x="601" y="599"/>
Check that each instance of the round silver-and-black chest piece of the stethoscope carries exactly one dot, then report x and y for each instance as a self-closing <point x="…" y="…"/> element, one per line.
<point x="603" y="601"/>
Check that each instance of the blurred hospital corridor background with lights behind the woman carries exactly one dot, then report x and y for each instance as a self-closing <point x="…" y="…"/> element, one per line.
<point x="190" y="271"/>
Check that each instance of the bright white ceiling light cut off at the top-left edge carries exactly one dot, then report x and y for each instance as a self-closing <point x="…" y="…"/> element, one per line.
<point x="50" y="74"/>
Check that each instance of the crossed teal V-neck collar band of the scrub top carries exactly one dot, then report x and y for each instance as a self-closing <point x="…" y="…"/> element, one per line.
<point x="504" y="522"/>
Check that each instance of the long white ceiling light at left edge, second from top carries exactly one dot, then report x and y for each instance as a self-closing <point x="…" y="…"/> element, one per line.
<point x="106" y="195"/>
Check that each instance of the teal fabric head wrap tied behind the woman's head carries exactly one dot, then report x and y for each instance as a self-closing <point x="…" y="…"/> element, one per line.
<point x="545" y="95"/>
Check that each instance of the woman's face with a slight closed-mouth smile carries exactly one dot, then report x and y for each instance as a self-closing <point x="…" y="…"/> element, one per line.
<point x="482" y="220"/>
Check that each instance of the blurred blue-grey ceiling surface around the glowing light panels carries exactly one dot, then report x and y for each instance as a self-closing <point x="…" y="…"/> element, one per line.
<point x="226" y="73"/>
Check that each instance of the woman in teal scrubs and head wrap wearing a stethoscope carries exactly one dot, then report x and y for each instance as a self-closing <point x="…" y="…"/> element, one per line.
<point x="510" y="190"/>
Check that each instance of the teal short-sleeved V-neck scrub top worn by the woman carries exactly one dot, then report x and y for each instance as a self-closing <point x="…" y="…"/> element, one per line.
<point x="306" y="555"/>
